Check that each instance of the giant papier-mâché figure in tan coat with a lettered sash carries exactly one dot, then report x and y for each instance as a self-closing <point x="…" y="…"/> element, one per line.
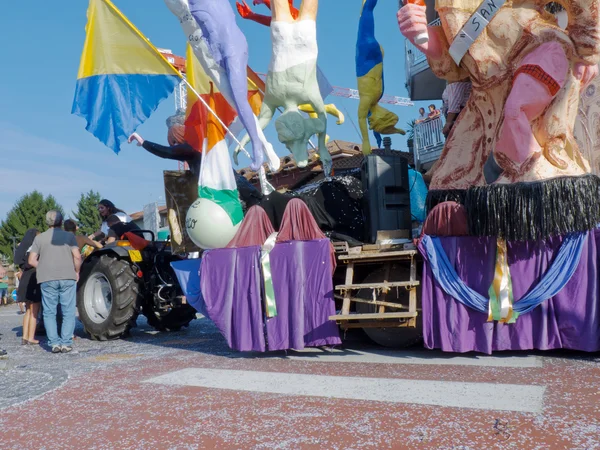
<point x="528" y="66"/>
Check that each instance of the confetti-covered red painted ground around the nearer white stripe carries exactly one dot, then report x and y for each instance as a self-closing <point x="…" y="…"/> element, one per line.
<point x="112" y="408"/>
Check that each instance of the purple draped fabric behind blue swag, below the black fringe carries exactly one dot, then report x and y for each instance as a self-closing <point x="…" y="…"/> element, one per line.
<point x="569" y="320"/>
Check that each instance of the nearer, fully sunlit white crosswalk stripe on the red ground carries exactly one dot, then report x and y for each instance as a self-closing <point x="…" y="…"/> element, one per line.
<point x="487" y="396"/>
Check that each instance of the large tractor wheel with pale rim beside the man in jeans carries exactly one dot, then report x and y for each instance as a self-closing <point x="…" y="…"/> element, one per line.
<point x="108" y="296"/>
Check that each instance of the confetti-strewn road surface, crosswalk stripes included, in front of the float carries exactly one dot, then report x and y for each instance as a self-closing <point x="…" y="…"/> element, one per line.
<point x="187" y="390"/>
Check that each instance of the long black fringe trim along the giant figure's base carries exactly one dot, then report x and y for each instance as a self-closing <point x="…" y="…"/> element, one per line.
<point x="529" y="211"/>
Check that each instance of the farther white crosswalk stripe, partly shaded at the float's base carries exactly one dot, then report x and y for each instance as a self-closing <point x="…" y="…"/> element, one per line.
<point x="411" y="357"/>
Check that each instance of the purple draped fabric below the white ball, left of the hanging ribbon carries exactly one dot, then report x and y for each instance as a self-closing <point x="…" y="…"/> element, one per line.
<point x="231" y="287"/>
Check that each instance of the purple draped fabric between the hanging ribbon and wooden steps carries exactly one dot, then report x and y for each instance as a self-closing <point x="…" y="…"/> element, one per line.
<point x="304" y="296"/>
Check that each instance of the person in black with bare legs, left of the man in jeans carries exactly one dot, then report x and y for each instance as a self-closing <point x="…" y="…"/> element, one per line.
<point x="28" y="292"/>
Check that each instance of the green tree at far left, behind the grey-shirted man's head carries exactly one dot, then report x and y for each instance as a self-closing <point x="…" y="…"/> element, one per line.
<point x="29" y="212"/>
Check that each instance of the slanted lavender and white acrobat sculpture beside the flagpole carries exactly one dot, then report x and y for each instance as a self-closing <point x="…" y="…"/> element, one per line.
<point x="222" y="50"/>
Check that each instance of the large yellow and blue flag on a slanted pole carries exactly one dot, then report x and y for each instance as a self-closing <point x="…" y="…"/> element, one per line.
<point x="122" y="76"/>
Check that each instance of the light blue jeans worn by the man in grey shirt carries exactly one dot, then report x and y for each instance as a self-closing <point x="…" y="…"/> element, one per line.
<point x="54" y="293"/>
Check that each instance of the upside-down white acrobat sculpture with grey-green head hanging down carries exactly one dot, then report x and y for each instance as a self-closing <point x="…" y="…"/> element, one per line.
<point x="292" y="81"/>
